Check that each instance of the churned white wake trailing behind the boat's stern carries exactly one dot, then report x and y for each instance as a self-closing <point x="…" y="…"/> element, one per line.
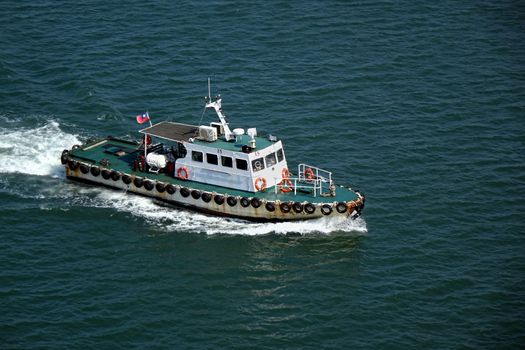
<point x="34" y="151"/>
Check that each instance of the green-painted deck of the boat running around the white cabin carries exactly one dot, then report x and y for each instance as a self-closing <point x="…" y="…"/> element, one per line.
<point x="96" y="151"/>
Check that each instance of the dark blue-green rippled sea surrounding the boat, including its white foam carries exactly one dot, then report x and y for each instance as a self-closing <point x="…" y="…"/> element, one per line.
<point x="419" y="105"/>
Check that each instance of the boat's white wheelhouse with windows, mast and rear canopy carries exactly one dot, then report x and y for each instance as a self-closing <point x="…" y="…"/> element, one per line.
<point x="215" y="155"/>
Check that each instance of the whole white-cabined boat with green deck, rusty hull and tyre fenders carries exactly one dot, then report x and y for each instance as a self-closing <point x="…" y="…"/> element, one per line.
<point x="213" y="169"/>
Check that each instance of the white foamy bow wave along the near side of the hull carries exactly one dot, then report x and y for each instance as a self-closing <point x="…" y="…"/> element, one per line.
<point x="173" y="219"/>
